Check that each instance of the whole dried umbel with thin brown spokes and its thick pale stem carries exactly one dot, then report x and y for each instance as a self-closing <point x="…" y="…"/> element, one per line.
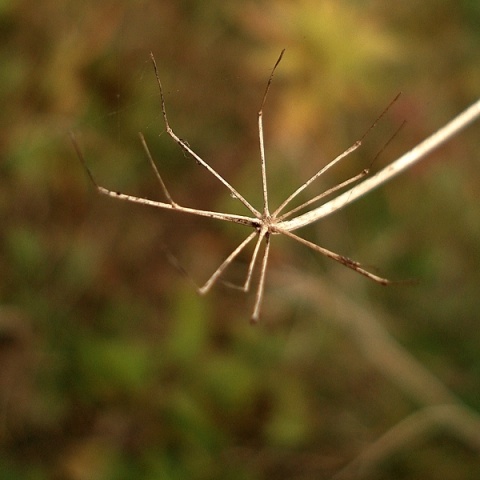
<point x="265" y="223"/>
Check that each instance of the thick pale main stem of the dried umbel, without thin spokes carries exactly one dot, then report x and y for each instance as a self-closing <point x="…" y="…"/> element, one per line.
<point x="402" y="163"/>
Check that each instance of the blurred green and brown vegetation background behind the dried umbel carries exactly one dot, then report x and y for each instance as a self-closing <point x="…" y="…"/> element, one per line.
<point x="111" y="366"/>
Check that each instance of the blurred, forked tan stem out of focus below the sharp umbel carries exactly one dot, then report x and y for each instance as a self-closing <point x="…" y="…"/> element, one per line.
<point x="439" y="407"/>
